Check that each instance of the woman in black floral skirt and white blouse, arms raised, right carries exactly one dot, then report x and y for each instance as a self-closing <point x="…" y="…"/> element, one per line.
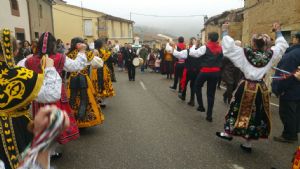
<point x="249" y="113"/>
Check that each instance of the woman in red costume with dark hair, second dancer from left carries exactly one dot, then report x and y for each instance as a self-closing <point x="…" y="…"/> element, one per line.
<point x="46" y="47"/>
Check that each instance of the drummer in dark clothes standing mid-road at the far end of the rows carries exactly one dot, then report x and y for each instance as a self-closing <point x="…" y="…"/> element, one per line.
<point x="129" y="55"/>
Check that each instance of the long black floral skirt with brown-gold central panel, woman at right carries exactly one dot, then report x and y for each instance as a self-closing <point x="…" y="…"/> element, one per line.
<point x="249" y="113"/>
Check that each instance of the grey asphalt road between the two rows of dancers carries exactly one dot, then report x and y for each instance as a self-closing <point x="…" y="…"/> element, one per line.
<point x="148" y="127"/>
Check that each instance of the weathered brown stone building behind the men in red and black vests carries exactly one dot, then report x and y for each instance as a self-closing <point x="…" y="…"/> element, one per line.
<point x="214" y="24"/>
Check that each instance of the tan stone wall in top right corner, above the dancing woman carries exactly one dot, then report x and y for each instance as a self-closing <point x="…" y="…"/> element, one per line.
<point x="259" y="19"/>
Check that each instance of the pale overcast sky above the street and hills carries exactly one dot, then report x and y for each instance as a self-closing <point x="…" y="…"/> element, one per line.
<point x="177" y="26"/>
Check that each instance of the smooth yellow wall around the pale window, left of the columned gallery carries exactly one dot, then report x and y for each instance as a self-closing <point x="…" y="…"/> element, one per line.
<point x="68" y="22"/>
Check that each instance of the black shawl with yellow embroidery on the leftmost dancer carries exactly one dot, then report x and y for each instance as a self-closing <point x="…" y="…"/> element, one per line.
<point x="18" y="87"/>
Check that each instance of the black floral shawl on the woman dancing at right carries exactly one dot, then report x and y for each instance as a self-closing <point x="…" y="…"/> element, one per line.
<point x="257" y="58"/>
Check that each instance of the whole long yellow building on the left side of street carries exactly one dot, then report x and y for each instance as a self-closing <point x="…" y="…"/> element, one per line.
<point x="72" y="21"/>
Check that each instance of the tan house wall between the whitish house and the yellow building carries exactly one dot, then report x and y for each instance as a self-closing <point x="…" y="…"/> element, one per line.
<point x="38" y="24"/>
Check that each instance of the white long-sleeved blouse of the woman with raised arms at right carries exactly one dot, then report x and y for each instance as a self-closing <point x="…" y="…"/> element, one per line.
<point x="237" y="56"/>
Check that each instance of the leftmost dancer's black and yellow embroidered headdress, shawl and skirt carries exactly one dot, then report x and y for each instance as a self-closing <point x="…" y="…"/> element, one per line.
<point x="18" y="87"/>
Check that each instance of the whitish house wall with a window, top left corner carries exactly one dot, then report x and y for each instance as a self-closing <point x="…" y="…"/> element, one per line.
<point x="7" y="20"/>
